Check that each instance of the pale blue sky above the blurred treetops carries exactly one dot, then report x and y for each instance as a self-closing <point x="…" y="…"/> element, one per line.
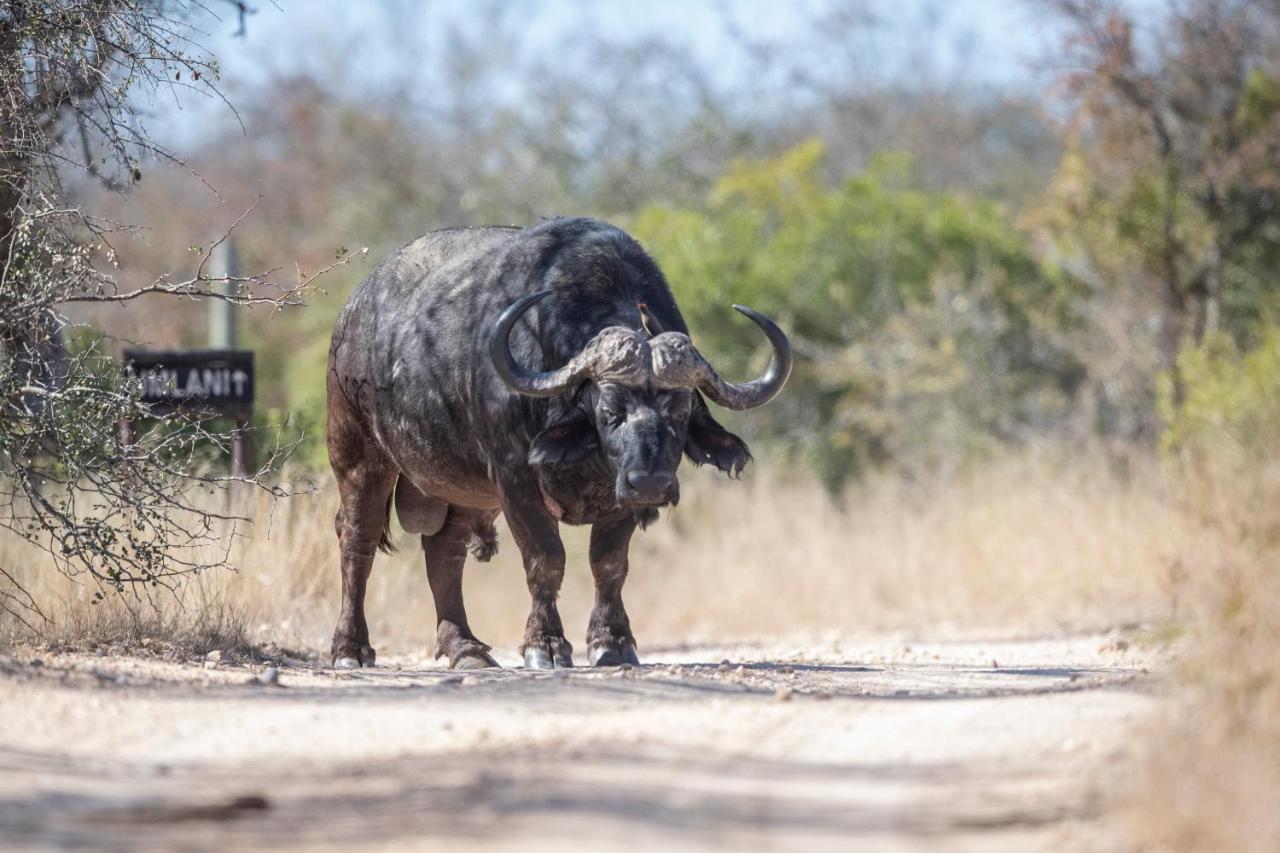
<point x="986" y="43"/>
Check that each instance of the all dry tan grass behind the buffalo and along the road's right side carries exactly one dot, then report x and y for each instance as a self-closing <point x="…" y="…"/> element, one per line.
<point x="1035" y="544"/>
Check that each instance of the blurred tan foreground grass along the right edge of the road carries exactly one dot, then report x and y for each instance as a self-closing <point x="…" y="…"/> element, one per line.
<point x="1213" y="769"/>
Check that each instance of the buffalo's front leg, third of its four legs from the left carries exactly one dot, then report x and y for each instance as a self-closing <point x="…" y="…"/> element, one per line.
<point x="538" y="537"/>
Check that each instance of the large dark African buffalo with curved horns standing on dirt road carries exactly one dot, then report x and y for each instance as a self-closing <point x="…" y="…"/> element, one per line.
<point x="545" y="373"/>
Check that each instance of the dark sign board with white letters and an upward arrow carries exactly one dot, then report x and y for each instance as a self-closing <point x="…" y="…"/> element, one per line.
<point x="205" y="381"/>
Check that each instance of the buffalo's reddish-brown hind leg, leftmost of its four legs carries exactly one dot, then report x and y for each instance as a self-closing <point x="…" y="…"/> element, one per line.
<point x="365" y="492"/>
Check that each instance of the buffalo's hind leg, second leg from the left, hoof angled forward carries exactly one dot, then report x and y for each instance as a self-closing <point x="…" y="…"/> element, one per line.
<point x="446" y="554"/>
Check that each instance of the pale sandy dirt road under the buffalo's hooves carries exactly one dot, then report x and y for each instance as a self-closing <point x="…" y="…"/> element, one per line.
<point x="876" y="745"/>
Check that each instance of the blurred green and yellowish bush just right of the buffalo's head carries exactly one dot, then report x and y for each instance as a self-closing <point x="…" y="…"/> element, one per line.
<point x="922" y="321"/>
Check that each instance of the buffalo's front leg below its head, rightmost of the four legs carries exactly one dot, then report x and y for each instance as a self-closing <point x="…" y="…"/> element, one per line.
<point x="609" y="635"/>
